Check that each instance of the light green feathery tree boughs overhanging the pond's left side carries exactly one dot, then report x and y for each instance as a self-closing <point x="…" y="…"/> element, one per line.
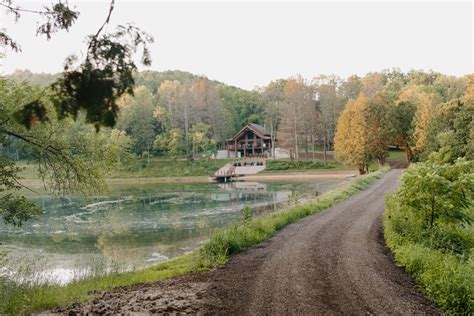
<point x="70" y="155"/>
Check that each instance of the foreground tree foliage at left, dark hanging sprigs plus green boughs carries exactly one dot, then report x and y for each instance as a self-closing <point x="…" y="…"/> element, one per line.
<point x="87" y="89"/>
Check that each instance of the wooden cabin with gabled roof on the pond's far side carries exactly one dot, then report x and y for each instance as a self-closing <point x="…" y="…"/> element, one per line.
<point x="251" y="141"/>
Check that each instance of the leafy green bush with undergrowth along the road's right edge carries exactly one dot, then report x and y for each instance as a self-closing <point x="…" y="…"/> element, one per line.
<point x="426" y="225"/>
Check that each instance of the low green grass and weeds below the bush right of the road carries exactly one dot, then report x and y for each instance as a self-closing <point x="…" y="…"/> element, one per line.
<point x="440" y="260"/>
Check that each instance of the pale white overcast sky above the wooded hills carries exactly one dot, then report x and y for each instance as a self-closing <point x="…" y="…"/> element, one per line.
<point x="248" y="44"/>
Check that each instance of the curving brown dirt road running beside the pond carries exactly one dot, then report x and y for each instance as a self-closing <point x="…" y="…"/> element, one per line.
<point x="333" y="262"/>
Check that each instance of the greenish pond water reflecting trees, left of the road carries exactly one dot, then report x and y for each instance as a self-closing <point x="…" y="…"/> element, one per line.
<point x="134" y="225"/>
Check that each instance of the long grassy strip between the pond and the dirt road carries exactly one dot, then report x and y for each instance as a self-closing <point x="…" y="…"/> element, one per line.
<point x="223" y="244"/>
